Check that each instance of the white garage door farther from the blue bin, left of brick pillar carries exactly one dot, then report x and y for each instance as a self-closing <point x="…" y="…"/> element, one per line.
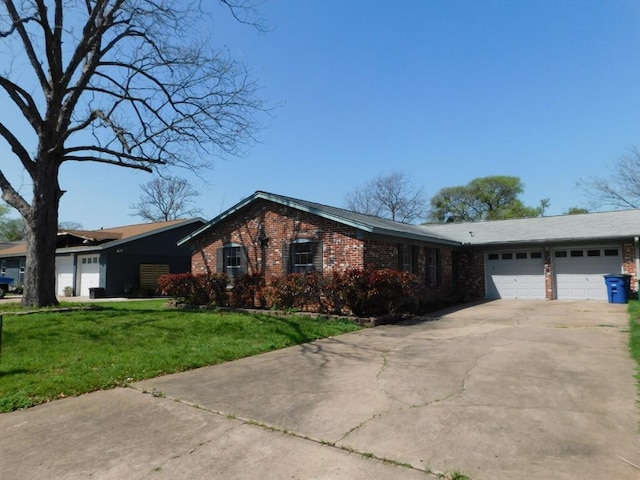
<point x="515" y="275"/>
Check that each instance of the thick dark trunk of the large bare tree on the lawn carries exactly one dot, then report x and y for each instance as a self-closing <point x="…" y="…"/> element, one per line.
<point x="42" y="230"/>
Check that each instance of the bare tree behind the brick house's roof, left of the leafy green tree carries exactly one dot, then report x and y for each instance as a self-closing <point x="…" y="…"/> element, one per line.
<point x="390" y="196"/>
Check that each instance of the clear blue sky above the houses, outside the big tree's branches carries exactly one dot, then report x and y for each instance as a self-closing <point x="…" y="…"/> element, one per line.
<point x="445" y="91"/>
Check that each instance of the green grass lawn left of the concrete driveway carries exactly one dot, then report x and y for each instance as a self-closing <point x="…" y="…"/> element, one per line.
<point x="50" y="355"/>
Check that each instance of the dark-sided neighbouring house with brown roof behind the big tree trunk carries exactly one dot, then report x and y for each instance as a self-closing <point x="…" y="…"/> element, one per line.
<point x="115" y="260"/>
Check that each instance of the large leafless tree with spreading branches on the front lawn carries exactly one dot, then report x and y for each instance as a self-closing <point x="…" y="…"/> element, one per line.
<point x="128" y="83"/>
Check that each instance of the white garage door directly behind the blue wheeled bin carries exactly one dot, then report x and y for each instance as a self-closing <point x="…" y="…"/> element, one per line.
<point x="579" y="272"/>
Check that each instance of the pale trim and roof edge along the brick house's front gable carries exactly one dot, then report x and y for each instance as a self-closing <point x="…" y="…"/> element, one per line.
<point x="290" y="202"/>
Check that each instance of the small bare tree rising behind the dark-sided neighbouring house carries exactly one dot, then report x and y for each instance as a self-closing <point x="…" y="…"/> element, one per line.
<point x="166" y="198"/>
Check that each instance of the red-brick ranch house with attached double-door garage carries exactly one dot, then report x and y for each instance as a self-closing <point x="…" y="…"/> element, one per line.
<point x="560" y="257"/>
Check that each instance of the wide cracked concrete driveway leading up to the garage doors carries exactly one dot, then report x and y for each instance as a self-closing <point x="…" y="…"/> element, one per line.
<point x="501" y="390"/>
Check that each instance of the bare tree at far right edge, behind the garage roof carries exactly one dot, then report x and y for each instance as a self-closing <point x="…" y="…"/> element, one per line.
<point x="621" y="189"/>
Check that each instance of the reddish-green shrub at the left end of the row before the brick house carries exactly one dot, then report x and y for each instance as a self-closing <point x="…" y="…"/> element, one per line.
<point x="201" y="289"/>
